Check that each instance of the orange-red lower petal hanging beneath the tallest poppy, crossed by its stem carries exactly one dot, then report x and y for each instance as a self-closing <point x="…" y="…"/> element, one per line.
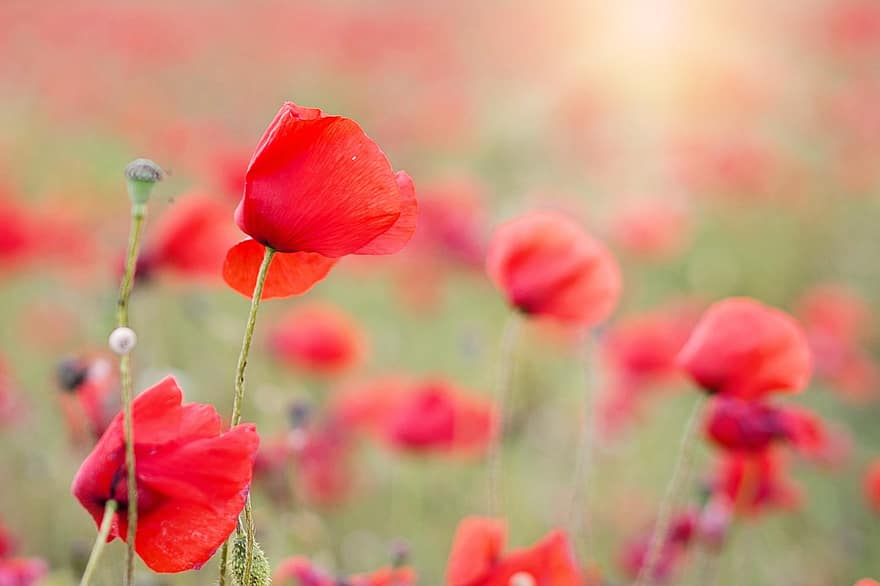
<point x="290" y="273"/>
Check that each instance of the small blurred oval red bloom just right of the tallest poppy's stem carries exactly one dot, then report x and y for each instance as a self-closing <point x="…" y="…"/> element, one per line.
<point x="318" y="338"/>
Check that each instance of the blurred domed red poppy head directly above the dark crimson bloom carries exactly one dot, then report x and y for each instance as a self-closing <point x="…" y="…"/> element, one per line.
<point x="745" y="349"/>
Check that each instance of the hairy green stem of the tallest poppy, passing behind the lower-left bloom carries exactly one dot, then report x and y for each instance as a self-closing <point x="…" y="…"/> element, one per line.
<point x="236" y="412"/>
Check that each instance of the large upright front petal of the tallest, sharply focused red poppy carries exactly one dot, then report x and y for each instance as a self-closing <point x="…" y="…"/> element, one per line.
<point x="317" y="184"/>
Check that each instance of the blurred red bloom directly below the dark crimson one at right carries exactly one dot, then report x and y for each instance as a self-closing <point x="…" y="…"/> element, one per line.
<point x="755" y="483"/>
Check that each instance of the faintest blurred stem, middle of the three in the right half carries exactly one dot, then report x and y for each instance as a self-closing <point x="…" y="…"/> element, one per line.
<point x="586" y="445"/>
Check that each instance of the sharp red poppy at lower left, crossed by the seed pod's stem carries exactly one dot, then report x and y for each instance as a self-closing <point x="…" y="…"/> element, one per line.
<point x="192" y="478"/>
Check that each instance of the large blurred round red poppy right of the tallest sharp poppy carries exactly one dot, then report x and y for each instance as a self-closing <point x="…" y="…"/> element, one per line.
<point x="546" y="265"/>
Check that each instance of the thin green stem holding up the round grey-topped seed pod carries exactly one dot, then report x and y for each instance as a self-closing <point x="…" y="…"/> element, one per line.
<point x="137" y="223"/>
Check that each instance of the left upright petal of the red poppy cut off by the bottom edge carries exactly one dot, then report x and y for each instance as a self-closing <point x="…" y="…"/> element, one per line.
<point x="476" y="548"/>
